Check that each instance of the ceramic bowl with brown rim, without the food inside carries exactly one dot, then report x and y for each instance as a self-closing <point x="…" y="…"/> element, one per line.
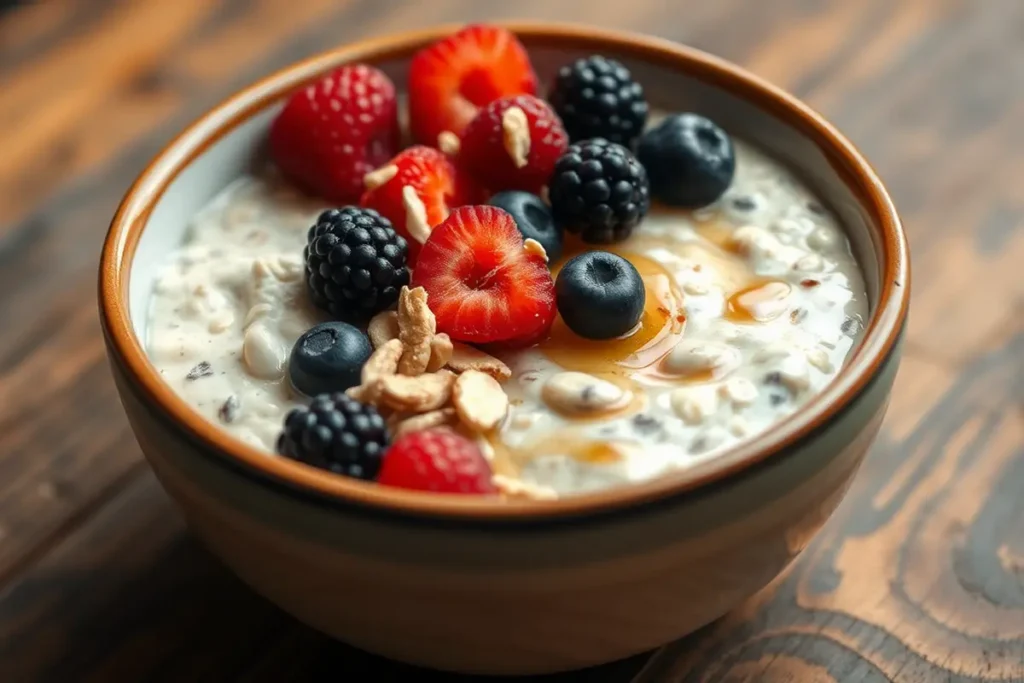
<point x="479" y="585"/>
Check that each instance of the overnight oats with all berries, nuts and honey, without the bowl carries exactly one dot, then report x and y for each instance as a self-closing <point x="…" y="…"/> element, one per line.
<point x="539" y="300"/>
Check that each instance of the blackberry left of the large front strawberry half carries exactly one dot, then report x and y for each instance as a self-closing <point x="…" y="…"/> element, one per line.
<point x="356" y="264"/>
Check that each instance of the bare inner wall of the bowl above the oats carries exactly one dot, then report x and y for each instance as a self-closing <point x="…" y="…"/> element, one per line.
<point x="668" y="90"/>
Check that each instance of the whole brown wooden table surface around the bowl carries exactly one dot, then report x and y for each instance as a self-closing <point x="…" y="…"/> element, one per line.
<point x="919" y="577"/>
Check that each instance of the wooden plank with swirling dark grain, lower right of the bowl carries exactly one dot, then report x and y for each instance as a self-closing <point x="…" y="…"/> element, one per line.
<point x="917" y="578"/>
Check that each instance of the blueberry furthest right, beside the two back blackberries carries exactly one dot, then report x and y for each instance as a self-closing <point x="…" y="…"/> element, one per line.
<point x="690" y="160"/>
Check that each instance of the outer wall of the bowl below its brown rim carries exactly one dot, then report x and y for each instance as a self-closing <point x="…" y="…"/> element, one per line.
<point x="510" y="600"/>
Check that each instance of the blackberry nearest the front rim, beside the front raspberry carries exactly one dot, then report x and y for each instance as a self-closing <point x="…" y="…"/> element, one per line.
<point x="336" y="434"/>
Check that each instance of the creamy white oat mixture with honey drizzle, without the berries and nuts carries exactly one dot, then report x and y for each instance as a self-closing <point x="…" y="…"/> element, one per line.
<point x="753" y="305"/>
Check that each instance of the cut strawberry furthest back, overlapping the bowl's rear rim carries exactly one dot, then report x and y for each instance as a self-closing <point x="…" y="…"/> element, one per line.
<point x="452" y="79"/>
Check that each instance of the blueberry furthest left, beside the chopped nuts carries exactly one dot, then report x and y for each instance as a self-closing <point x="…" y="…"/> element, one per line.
<point x="328" y="359"/>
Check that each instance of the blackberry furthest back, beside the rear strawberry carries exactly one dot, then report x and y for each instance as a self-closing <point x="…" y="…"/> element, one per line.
<point x="598" y="98"/>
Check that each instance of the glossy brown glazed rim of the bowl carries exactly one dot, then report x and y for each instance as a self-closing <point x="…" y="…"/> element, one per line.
<point x="880" y="337"/>
